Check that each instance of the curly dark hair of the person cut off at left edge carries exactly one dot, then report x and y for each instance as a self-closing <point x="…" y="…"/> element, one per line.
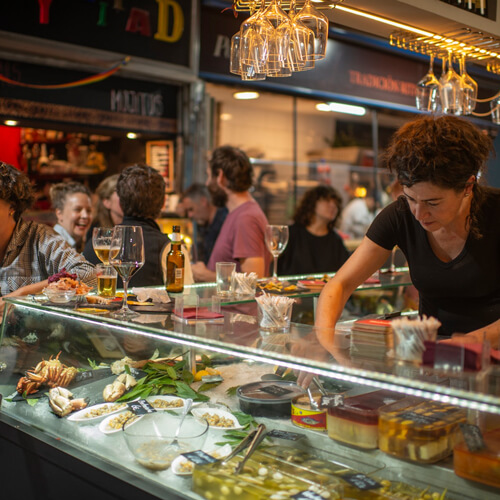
<point x="15" y="189"/>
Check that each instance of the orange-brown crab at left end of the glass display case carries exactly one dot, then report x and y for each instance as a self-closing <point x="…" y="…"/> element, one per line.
<point x="51" y="372"/>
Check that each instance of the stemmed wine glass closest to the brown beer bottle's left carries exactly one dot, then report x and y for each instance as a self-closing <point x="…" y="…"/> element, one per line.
<point x="127" y="257"/>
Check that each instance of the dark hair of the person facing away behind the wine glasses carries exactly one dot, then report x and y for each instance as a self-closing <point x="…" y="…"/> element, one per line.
<point x="141" y="190"/>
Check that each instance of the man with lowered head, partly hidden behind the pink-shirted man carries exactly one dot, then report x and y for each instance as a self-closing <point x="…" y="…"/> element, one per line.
<point x="208" y="218"/>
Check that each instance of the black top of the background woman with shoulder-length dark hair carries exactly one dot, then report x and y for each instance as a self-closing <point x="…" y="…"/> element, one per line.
<point x="306" y="253"/>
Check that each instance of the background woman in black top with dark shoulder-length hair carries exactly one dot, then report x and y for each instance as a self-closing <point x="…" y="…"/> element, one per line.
<point x="314" y="246"/>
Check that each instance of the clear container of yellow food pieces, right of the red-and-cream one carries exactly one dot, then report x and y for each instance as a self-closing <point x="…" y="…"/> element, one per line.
<point x="420" y="431"/>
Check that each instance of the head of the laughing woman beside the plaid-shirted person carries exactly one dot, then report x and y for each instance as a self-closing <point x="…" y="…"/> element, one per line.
<point x="71" y="201"/>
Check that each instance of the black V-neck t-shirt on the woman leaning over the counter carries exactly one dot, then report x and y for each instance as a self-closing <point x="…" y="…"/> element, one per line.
<point x="464" y="294"/>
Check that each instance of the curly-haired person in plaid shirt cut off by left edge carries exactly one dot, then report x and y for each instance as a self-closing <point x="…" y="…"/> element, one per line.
<point x="30" y="252"/>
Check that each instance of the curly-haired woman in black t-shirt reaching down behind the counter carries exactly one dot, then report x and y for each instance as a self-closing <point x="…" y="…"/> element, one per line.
<point x="445" y="225"/>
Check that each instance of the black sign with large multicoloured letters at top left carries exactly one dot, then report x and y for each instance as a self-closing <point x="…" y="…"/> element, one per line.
<point x="152" y="29"/>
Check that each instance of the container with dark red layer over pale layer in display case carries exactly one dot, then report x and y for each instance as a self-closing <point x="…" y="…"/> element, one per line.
<point x="355" y="422"/>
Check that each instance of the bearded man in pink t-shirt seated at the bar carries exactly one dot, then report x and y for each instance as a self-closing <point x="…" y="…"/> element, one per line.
<point x="241" y="238"/>
